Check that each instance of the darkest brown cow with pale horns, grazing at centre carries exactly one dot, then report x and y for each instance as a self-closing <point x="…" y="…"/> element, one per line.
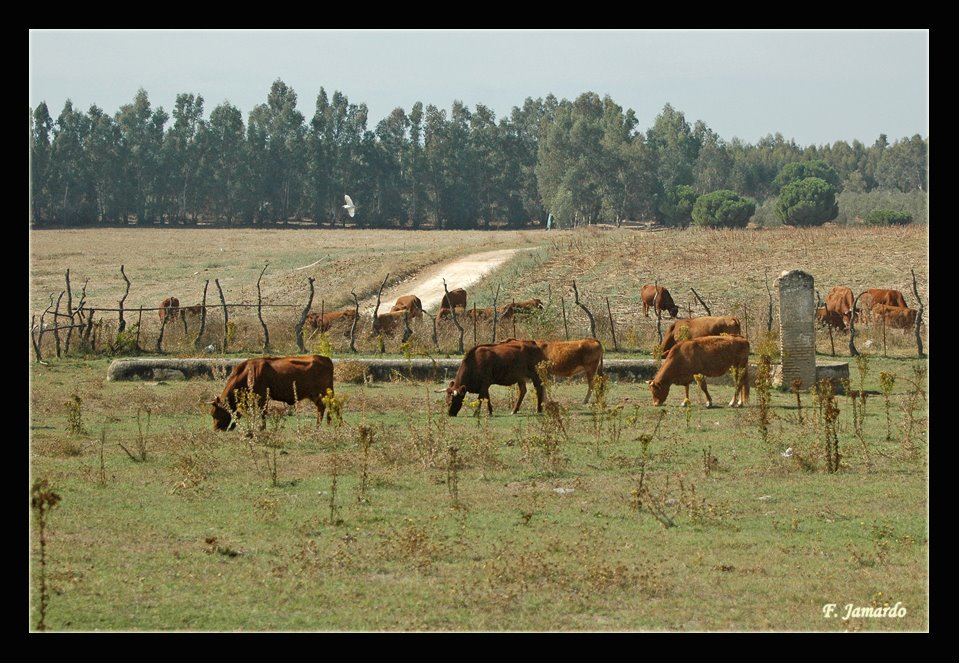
<point x="507" y="363"/>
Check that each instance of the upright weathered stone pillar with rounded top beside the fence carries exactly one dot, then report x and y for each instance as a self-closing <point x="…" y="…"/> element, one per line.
<point x="797" y="331"/>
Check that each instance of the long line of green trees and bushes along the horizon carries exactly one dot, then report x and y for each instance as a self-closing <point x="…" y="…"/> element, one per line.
<point x="581" y="161"/>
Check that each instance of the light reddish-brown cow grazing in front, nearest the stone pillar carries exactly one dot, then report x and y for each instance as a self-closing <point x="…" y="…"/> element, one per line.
<point x="709" y="356"/>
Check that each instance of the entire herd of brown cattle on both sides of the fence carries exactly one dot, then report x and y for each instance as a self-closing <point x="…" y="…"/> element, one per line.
<point x="706" y="346"/>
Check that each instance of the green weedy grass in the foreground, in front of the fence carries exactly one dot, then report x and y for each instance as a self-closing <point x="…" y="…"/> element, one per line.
<point x="199" y="538"/>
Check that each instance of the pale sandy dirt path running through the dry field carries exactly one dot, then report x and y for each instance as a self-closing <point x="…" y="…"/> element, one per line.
<point x="428" y="284"/>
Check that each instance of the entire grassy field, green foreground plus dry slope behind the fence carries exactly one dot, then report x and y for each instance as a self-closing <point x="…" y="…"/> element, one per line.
<point x="625" y="517"/>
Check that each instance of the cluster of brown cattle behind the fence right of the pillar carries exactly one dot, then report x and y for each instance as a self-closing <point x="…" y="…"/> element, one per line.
<point x="875" y="304"/>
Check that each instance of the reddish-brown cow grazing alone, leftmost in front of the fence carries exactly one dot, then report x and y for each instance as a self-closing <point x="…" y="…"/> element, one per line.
<point x="283" y="379"/>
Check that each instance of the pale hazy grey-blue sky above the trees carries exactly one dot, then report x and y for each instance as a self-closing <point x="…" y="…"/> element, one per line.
<point x="815" y="87"/>
